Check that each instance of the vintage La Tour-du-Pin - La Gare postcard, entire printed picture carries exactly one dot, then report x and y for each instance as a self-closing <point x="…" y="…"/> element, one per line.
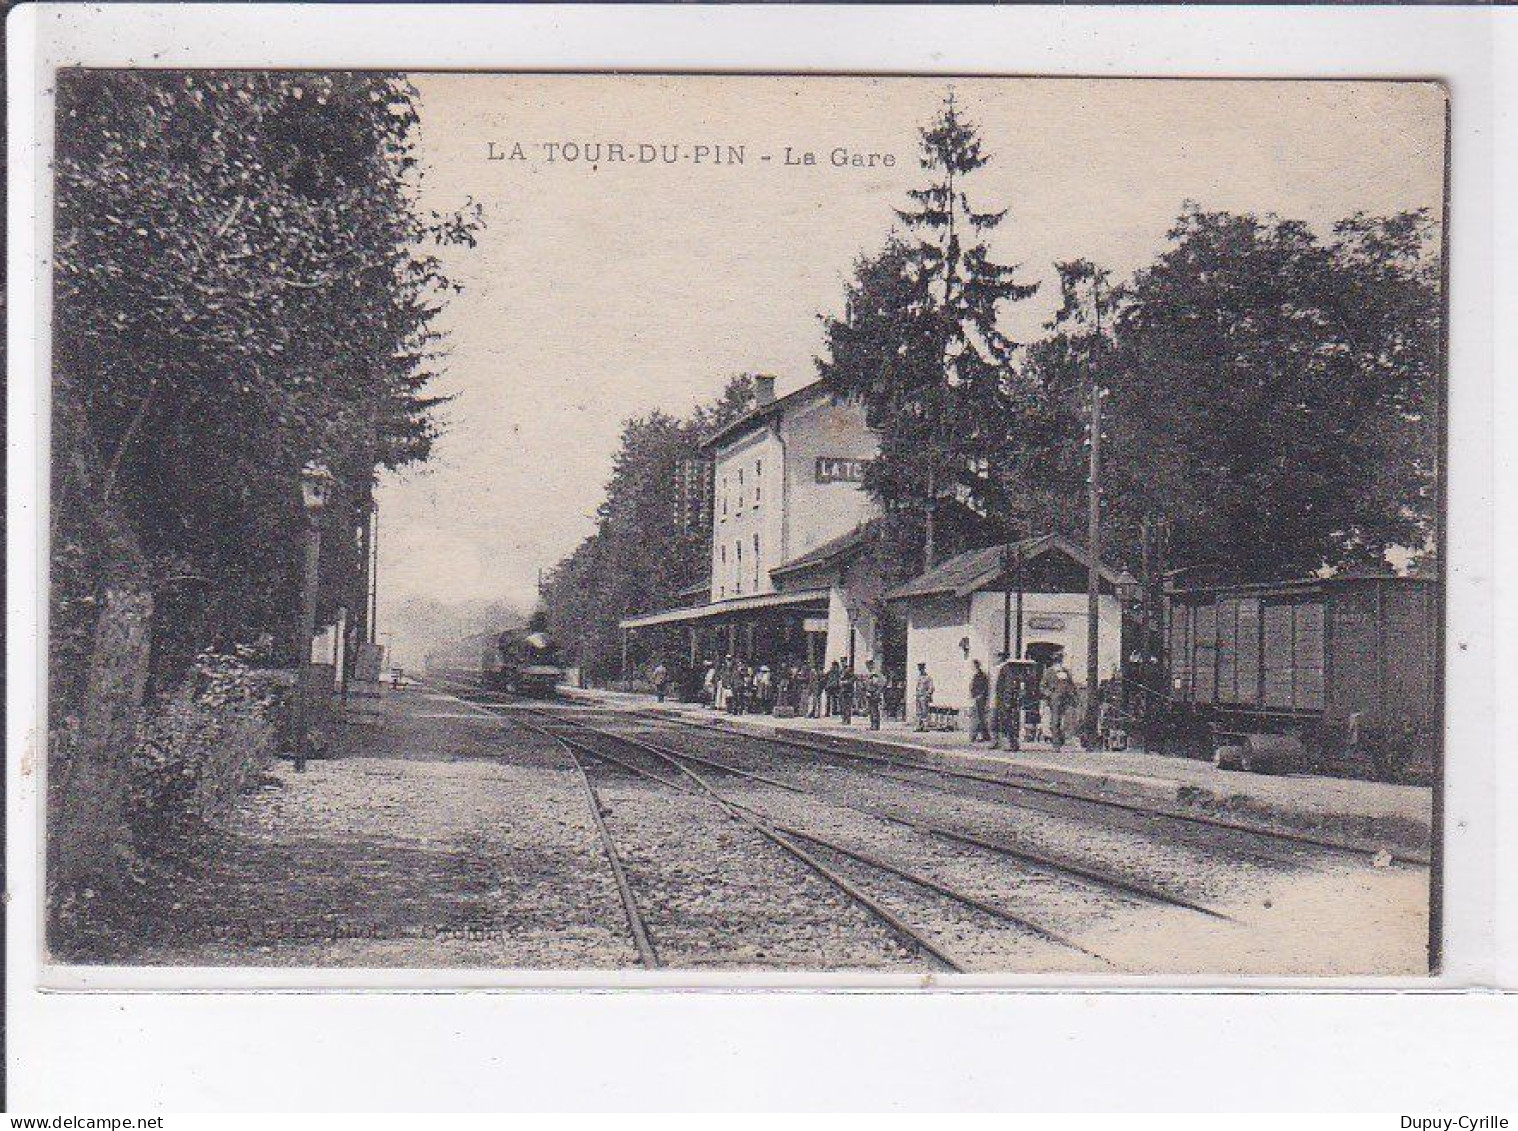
<point x="746" y="525"/>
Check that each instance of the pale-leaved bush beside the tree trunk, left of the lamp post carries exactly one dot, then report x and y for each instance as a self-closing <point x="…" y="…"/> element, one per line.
<point x="206" y="743"/>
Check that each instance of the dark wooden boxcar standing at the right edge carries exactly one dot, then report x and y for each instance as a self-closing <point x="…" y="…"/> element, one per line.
<point x="1347" y="664"/>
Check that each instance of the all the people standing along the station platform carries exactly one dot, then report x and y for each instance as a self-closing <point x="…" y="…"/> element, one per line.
<point x="1009" y="710"/>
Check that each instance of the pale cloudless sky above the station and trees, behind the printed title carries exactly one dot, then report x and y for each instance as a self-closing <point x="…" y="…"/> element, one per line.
<point x="606" y="289"/>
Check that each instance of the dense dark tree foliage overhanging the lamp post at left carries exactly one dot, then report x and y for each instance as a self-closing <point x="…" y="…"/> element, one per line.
<point x="242" y="285"/>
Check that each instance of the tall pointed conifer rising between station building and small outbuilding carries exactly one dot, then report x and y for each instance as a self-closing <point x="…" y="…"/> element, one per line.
<point x="924" y="348"/>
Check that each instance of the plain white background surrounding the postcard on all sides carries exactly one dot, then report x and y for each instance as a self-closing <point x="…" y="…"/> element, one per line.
<point x="1394" y="1051"/>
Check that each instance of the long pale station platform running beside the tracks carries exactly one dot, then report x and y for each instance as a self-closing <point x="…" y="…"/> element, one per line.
<point x="1355" y="811"/>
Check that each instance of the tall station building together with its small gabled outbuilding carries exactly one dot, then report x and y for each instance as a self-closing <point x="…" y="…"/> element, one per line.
<point x="792" y="575"/>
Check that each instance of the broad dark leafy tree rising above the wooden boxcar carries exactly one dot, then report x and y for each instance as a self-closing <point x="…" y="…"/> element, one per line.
<point x="1276" y="395"/>
